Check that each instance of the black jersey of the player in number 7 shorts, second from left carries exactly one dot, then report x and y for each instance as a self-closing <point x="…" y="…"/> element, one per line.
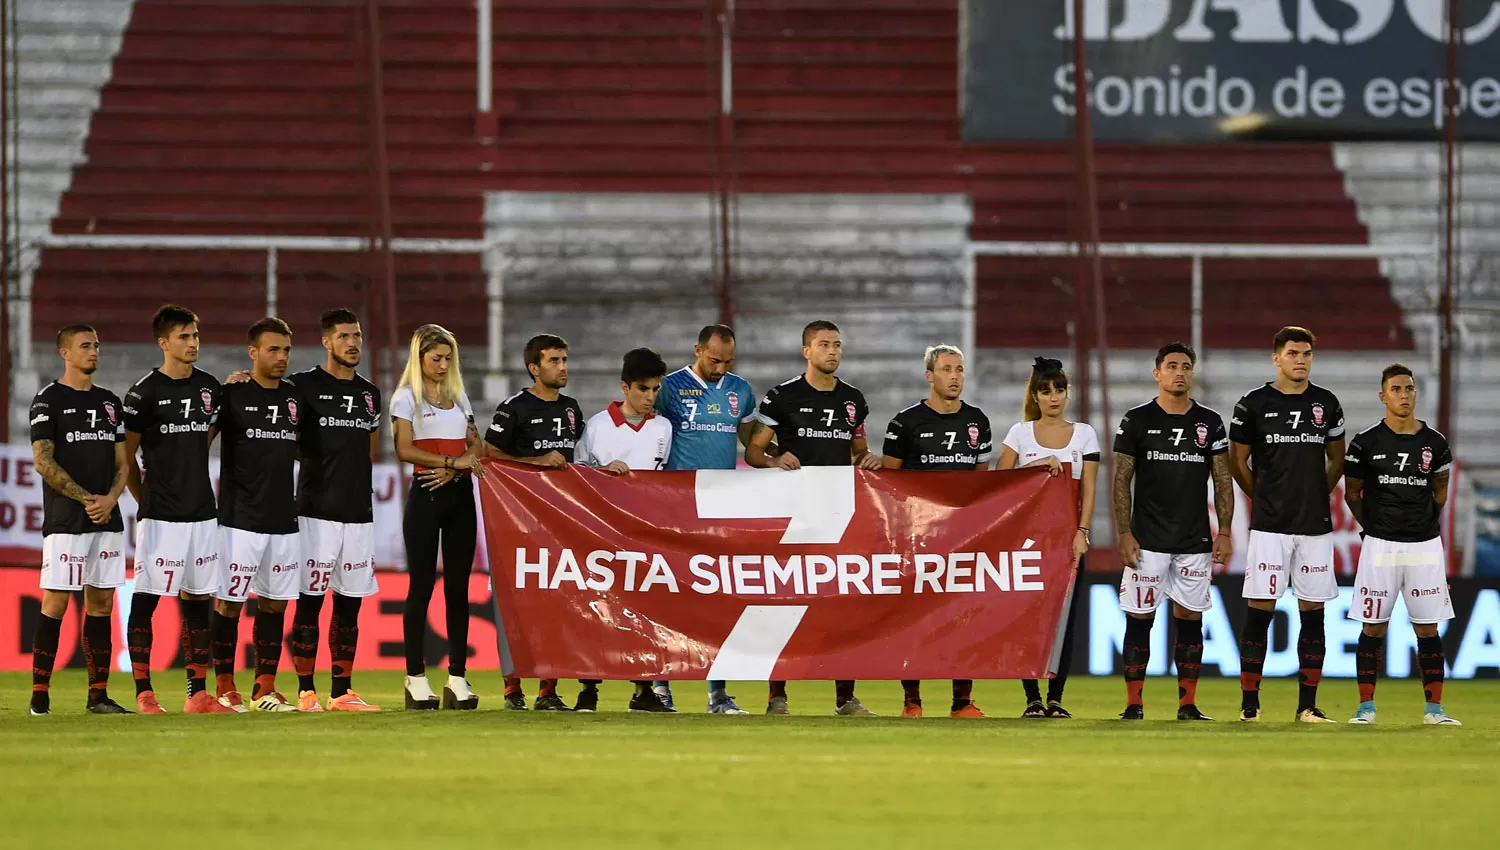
<point x="173" y="419"/>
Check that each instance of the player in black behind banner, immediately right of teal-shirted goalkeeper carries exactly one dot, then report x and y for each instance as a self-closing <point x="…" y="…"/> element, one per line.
<point x="817" y="421"/>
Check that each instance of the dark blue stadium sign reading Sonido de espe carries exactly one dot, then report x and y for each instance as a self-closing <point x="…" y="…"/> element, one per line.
<point x="1229" y="70"/>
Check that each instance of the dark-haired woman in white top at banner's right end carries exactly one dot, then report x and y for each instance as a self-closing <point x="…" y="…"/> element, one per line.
<point x="1046" y="438"/>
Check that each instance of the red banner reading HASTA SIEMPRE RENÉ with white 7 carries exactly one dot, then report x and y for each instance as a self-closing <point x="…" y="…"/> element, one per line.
<point x="827" y="573"/>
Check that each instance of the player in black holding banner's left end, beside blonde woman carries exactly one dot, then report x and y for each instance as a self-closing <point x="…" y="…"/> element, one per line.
<point x="541" y="426"/>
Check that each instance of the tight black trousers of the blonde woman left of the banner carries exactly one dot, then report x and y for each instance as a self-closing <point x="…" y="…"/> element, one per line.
<point x="439" y="521"/>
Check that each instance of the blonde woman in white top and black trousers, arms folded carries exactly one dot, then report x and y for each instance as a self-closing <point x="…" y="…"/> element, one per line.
<point x="434" y="426"/>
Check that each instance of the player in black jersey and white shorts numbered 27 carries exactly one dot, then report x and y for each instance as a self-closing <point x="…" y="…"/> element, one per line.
<point x="260" y="422"/>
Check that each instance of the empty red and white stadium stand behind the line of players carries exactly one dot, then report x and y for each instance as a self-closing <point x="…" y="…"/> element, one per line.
<point x="214" y="122"/>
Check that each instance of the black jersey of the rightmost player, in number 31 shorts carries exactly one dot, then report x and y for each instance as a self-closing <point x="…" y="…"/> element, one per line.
<point x="1399" y="470"/>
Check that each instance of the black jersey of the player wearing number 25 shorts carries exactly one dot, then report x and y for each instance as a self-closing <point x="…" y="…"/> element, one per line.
<point x="335" y="479"/>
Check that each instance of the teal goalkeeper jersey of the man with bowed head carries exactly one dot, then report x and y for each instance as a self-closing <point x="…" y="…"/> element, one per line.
<point x="706" y="419"/>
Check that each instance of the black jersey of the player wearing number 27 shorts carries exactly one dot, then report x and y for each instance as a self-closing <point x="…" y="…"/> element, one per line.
<point x="259" y="434"/>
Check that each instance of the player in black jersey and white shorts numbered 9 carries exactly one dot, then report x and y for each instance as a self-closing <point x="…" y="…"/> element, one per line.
<point x="1288" y="453"/>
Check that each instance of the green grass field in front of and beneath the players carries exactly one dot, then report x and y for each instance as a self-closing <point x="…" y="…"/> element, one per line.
<point x="619" y="780"/>
